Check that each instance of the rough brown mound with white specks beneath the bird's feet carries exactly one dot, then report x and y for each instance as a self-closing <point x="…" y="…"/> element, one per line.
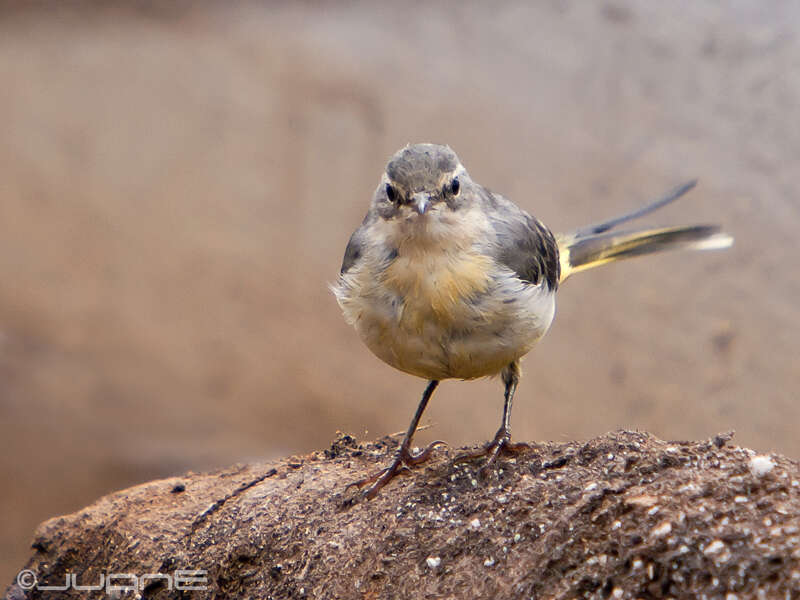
<point x="625" y="515"/>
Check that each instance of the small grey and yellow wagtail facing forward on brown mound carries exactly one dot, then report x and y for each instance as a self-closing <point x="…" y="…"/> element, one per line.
<point x="445" y="279"/>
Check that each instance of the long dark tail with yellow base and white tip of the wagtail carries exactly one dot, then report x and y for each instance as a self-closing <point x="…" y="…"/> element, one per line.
<point x="594" y="246"/>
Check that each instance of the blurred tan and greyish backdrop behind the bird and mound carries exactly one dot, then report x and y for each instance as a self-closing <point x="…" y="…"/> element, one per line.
<point x="178" y="182"/>
